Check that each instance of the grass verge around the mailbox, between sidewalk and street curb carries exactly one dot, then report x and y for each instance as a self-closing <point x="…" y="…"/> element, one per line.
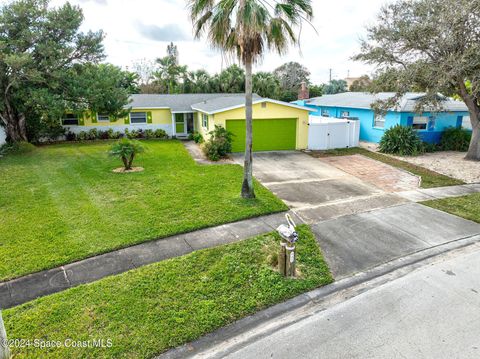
<point x="149" y="310"/>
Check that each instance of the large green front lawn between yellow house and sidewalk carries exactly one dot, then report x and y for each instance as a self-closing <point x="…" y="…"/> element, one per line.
<point x="62" y="203"/>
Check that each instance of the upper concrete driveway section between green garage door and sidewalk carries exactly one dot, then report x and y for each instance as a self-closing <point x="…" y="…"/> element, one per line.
<point x="315" y="189"/>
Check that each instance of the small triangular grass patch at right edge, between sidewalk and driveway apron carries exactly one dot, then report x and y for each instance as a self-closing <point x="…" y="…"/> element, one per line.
<point x="466" y="206"/>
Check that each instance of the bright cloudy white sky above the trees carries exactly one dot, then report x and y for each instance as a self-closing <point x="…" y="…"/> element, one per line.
<point x="142" y="29"/>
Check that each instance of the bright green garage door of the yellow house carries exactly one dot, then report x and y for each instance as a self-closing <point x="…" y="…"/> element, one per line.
<point x="268" y="134"/>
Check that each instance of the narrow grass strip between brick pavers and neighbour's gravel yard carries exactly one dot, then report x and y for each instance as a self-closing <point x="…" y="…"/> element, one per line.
<point x="430" y="178"/>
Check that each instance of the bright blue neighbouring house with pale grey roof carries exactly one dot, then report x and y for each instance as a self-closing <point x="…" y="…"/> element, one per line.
<point x="357" y="105"/>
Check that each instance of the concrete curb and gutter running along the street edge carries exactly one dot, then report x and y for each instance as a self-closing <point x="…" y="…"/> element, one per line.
<point x="235" y="335"/>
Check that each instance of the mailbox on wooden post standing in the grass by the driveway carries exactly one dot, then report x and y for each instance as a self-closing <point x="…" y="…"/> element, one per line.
<point x="287" y="256"/>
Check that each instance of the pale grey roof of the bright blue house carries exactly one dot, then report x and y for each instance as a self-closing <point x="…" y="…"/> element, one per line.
<point x="363" y="100"/>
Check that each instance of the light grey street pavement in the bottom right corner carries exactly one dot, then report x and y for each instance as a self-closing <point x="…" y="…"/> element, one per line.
<point x="433" y="312"/>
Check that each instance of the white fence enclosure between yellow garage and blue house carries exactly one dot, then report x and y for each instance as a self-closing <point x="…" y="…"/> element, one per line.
<point x="326" y="133"/>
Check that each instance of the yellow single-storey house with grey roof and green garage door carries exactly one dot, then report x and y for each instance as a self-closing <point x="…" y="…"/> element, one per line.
<point x="277" y="125"/>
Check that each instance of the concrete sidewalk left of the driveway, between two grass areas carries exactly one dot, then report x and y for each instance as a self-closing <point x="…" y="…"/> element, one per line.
<point x="24" y="289"/>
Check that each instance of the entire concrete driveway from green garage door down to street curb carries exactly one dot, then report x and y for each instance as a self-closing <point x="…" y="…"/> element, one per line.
<point x="358" y="225"/>
